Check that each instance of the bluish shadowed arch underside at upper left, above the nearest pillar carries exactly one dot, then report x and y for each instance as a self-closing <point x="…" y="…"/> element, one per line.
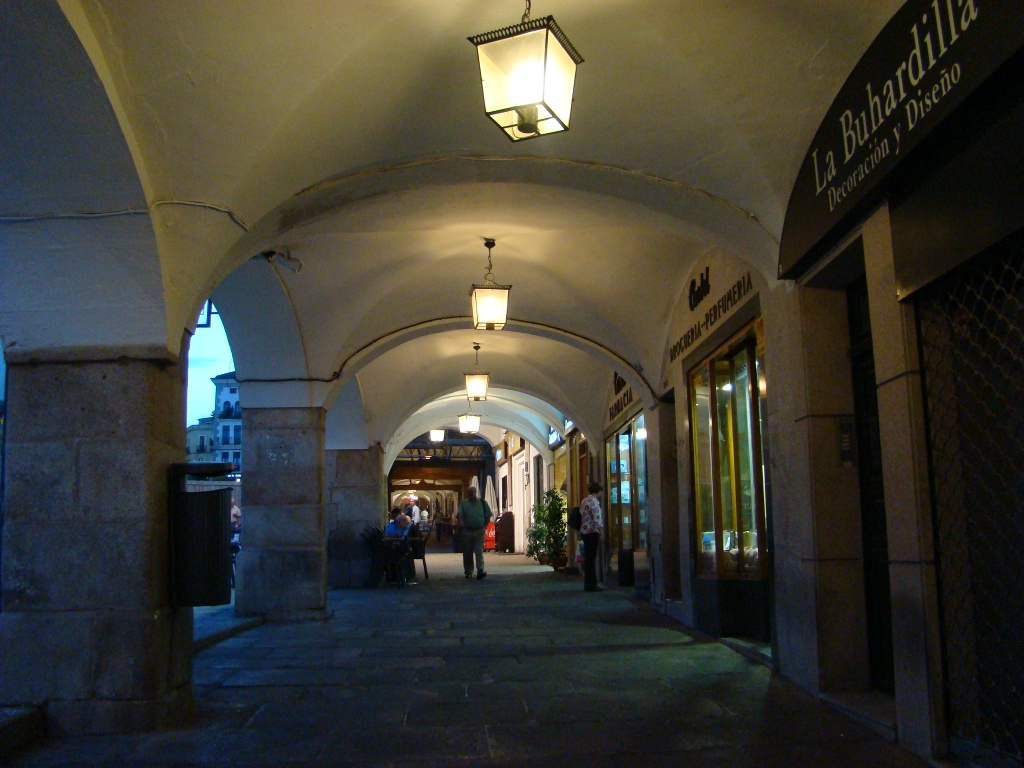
<point x="81" y="273"/>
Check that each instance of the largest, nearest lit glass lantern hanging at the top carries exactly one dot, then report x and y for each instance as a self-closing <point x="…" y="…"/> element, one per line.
<point x="528" y="72"/>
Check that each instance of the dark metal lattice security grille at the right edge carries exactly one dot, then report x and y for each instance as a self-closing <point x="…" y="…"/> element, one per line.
<point x="972" y="336"/>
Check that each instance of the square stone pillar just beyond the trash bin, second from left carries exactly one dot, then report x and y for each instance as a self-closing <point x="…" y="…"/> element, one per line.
<point x="281" y="569"/>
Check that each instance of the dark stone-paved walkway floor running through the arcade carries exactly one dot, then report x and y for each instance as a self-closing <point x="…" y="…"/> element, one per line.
<point x="523" y="669"/>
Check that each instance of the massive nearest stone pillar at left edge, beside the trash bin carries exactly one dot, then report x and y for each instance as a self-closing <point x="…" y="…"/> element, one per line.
<point x="87" y="630"/>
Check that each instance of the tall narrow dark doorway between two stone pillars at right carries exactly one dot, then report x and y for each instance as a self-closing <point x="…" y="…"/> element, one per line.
<point x="873" y="503"/>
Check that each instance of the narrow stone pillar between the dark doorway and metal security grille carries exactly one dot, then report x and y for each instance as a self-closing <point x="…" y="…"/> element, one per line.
<point x="917" y="642"/>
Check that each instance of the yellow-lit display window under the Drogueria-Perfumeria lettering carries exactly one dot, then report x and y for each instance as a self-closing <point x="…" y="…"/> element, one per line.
<point x="727" y="399"/>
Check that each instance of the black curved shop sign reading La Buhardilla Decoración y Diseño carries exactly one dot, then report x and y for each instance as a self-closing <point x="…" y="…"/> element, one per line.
<point x="930" y="57"/>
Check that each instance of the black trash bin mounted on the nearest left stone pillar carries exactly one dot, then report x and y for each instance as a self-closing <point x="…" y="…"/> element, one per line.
<point x="200" y="538"/>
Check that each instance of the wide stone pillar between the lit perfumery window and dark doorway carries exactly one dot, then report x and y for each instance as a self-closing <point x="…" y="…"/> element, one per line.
<point x="819" y="570"/>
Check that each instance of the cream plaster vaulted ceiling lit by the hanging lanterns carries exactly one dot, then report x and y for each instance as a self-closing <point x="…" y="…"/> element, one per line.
<point x="354" y="134"/>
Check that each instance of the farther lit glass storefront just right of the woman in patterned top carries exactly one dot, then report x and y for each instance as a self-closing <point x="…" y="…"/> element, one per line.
<point x="627" y="454"/>
